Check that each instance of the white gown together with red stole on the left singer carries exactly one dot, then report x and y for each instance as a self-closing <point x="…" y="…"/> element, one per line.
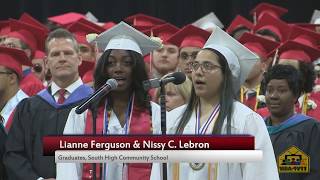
<point x="114" y="170"/>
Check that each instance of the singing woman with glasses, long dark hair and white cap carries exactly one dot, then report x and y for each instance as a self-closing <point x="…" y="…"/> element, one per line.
<point x="217" y="72"/>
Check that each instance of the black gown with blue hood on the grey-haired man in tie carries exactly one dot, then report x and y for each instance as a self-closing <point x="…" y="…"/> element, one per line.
<point x="34" y="118"/>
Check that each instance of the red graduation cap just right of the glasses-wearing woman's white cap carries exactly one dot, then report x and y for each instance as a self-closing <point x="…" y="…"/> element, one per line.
<point x="259" y="45"/>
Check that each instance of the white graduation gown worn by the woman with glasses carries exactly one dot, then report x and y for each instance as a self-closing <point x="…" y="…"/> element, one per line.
<point x="243" y="121"/>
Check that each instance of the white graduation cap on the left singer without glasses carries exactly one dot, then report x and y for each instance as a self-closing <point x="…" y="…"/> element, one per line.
<point x="123" y="36"/>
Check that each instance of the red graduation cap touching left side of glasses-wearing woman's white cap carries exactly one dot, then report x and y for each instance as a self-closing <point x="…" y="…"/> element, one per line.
<point x="189" y="36"/>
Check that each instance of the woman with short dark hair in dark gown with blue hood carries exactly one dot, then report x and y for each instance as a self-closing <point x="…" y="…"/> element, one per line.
<point x="292" y="134"/>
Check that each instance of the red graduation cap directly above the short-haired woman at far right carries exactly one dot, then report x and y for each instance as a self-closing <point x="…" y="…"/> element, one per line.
<point x="298" y="51"/>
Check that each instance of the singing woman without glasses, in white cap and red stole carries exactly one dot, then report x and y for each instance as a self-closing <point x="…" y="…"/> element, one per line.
<point x="126" y="109"/>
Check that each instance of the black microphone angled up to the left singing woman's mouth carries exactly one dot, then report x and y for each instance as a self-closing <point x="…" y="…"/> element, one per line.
<point x="110" y="85"/>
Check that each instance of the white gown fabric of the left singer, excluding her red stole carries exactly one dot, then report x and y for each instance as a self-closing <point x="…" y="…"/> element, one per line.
<point x="76" y="125"/>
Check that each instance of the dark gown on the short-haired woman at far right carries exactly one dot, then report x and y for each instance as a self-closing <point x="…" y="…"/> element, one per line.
<point x="305" y="136"/>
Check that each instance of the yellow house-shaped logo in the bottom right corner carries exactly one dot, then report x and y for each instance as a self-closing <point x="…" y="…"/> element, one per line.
<point x="293" y="160"/>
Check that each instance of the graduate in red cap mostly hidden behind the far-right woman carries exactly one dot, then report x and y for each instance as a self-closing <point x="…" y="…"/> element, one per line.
<point x="301" y="56"/>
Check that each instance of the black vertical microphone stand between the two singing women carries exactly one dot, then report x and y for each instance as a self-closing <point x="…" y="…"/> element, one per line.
<point x="163" y="122"/>
